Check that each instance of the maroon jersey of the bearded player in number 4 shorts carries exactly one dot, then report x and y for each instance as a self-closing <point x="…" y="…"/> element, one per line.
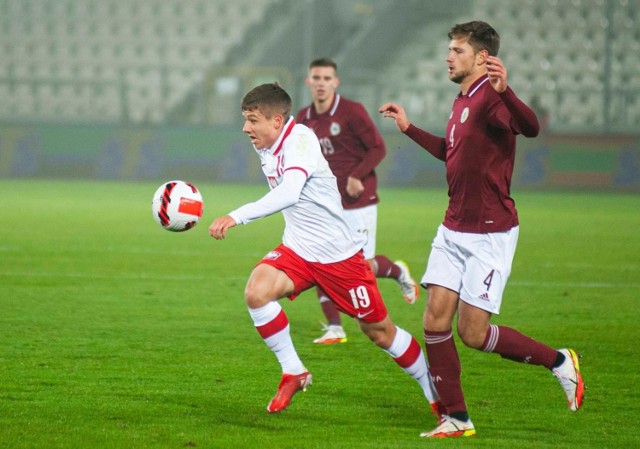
<point x="479" y="153"/>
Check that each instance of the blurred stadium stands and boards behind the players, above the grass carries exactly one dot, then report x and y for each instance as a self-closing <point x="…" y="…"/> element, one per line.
<point x="150" y="89"/>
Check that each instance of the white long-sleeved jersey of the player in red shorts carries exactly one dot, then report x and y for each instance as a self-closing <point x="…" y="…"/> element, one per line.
<point x="305" y="190"/>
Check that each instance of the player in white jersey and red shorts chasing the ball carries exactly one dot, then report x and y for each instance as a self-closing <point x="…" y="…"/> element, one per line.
<point x="318" y="247"/>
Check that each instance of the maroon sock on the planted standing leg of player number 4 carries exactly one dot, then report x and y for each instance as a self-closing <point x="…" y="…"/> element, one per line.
<point x="444" y="367"/>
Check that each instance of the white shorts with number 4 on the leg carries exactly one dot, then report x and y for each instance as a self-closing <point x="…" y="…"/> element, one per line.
<point x="476" y="266"/>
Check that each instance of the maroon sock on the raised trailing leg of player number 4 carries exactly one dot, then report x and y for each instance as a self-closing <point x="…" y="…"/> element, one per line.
<point x="511" y="344"/>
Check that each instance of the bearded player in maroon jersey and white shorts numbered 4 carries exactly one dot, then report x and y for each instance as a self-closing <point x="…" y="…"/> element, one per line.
<point x="472" y="252"/>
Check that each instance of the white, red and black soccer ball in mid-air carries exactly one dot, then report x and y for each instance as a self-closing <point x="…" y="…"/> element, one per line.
<point x="177" y="206"/>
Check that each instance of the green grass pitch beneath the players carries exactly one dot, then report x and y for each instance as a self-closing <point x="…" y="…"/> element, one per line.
<point x="117" y="334"/>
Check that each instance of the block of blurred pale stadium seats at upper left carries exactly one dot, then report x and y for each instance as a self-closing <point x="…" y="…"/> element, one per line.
<point x="112" y="60"/>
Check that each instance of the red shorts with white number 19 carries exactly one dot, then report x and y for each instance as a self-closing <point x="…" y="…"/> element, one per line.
<point x="350" y="283"/>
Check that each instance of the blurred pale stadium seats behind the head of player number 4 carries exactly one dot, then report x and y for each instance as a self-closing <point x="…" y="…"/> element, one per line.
<point x="580" y="58"/>
